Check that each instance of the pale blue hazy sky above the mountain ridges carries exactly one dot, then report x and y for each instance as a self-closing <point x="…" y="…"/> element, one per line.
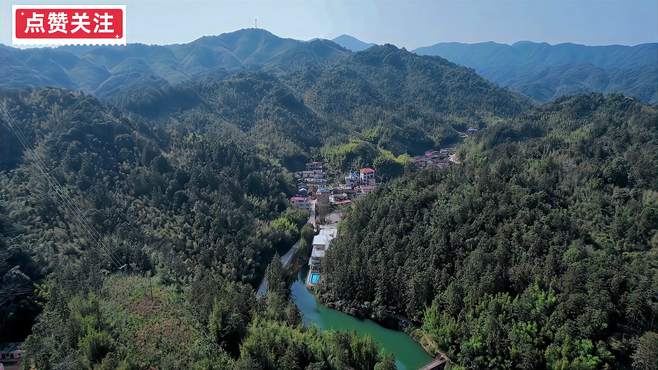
<point x="410" y="23"/>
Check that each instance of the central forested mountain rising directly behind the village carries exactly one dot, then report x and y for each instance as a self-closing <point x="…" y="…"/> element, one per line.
<point x="384" y="96"/>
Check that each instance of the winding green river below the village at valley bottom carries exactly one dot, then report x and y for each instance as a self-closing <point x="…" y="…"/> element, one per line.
<point x="408" y="354"/>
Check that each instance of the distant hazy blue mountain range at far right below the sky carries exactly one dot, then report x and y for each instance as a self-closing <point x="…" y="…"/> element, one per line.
<point x="545" y="72"/>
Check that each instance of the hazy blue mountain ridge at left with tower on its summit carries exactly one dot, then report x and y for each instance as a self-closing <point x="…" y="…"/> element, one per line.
<point x="107" y="71"/>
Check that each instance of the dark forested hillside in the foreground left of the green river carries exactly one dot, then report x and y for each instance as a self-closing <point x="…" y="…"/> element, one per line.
<point x="141" y="246"/>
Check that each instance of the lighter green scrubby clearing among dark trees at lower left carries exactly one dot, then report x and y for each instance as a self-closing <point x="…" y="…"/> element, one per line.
<point x="131" y="323"/>
